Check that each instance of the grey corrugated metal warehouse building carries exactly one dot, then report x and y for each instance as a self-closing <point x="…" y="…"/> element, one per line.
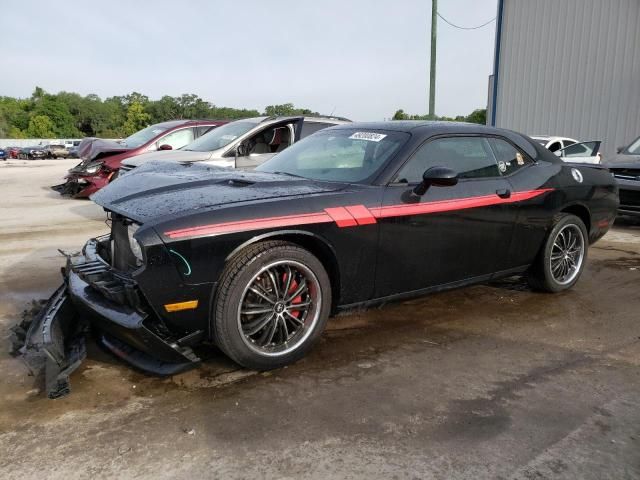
<point x="568" y="68"/>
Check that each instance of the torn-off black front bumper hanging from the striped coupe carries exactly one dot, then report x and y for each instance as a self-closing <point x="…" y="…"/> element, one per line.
<point x="96" y="297"/>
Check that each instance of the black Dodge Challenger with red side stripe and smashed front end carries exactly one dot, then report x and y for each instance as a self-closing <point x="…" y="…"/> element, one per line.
<point x="354" y="215"/>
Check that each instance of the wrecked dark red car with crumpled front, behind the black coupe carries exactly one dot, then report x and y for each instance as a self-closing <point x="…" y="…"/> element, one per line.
<point x="101" y="158"/>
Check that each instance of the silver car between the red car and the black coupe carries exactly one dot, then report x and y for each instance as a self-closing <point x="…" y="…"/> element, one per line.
<point x="244" y="143"/>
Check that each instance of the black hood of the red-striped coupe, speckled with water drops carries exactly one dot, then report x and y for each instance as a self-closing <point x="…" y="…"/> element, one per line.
<point x="159" y="190"/>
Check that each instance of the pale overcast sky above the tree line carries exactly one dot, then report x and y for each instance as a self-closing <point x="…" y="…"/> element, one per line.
<point x="361" y="59"/>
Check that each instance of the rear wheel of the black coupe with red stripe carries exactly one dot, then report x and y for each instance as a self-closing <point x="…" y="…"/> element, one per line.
<point x="560" y="263"/>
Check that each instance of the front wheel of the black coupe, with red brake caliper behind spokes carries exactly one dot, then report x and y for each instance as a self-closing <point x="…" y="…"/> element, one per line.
<point x="258" y="266"/>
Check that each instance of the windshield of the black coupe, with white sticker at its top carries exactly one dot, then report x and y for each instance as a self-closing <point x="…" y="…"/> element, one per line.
<point x="344" y="155"/>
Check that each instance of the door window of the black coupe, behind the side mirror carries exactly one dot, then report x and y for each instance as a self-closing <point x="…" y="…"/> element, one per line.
<point x="471" y="157"/>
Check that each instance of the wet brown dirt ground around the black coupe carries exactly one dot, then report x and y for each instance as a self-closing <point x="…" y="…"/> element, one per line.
<point x="484" y="382"/>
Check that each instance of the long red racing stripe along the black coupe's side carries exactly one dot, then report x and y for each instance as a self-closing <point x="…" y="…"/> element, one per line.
<point x="354" y="214"/>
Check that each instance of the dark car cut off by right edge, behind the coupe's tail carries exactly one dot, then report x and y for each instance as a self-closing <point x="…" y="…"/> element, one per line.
<point x="625" y="167"/>
